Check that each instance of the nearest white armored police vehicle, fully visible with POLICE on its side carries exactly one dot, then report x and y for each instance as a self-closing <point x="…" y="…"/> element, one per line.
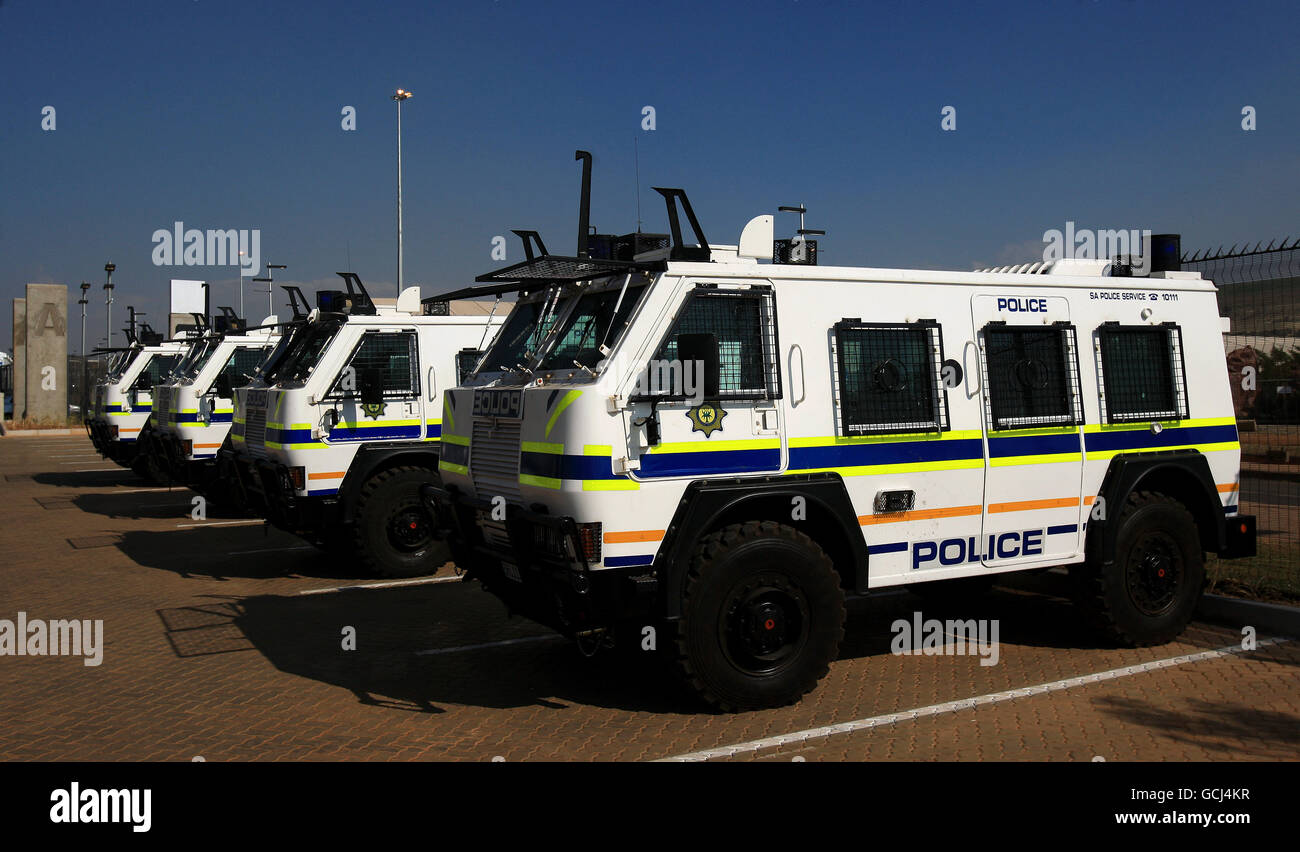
<point x="722" y="449"/>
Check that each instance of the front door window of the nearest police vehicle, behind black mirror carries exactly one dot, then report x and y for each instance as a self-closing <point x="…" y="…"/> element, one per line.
<point x="744" y="323"/>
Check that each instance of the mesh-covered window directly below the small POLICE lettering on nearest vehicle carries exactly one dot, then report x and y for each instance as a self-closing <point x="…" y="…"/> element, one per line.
<point x="1033" y="375"/>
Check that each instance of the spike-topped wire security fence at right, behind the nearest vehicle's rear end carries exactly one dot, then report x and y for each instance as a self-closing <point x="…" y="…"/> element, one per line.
<point x="1260" y="295"/>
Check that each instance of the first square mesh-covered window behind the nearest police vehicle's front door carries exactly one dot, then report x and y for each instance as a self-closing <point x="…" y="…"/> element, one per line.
<point x="890" y="378"/>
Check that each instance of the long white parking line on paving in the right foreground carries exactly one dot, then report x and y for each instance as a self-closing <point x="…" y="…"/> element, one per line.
<point x="961" y="704"/>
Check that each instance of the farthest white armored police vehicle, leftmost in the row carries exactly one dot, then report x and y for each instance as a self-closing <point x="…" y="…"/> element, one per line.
<point x="123" y="404"/>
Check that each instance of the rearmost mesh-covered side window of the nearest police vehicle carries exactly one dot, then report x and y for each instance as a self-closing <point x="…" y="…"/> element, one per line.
<point x="1142" y="373"/>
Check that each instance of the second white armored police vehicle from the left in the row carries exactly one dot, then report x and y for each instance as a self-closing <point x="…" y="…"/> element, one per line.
<point x="194" y="408"/>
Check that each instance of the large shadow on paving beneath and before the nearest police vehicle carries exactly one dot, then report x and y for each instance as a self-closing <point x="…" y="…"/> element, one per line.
<point x="396" y="629"/>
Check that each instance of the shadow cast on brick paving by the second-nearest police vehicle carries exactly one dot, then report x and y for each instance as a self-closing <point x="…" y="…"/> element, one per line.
<point x="245" y="552"/>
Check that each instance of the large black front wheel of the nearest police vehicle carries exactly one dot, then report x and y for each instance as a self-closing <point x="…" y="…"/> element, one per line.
<point x="762" y="617"/>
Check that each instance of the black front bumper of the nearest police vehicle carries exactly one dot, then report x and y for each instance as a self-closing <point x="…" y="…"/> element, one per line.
<point x="534" y="563"/>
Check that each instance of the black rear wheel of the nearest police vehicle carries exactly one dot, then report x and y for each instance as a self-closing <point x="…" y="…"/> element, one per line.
<point x="1150" y="594"/>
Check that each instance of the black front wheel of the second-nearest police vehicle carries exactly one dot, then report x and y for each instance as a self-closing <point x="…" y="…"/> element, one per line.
<point x="395" y="534"/>
